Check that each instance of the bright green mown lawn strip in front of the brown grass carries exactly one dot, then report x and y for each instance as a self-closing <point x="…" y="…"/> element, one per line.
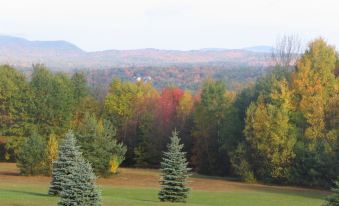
<point x="32" y="194"/>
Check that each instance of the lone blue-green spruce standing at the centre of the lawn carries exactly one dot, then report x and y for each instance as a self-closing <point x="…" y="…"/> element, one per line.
<point x="174" y="172"/>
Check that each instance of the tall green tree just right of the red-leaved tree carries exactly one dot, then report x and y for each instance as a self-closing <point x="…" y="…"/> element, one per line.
<point x="215" y="120"/>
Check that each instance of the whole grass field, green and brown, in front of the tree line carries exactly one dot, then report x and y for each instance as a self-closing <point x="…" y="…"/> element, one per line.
<point x="138" y="187"/>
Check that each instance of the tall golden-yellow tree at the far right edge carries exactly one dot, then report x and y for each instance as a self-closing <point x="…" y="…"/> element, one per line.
<point x="314" y="84"/>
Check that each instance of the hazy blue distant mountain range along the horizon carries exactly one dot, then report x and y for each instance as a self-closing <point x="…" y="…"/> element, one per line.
<point x="62" y="55"/>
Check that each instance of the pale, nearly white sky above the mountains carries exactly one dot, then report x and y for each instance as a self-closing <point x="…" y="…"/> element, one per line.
<point x="169" y="24"/>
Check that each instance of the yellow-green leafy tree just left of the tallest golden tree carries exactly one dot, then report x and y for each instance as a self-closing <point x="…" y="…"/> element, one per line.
<point x="270" y="132"/>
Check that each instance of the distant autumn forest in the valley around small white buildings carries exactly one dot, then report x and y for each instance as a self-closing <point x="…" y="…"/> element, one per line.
<point x="186" y="77"/>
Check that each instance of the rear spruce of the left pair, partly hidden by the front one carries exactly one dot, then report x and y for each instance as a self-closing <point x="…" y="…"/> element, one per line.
<point x="63" y="166"/>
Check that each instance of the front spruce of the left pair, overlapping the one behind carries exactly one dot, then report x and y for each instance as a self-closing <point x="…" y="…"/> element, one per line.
<point x="79" y="187"/>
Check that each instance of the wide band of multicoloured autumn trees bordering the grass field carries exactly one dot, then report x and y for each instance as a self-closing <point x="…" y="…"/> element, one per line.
<point x="281" y="129"/>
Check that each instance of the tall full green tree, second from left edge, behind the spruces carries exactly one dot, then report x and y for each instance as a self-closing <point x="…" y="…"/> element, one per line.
<point x="53" y="100"/>
